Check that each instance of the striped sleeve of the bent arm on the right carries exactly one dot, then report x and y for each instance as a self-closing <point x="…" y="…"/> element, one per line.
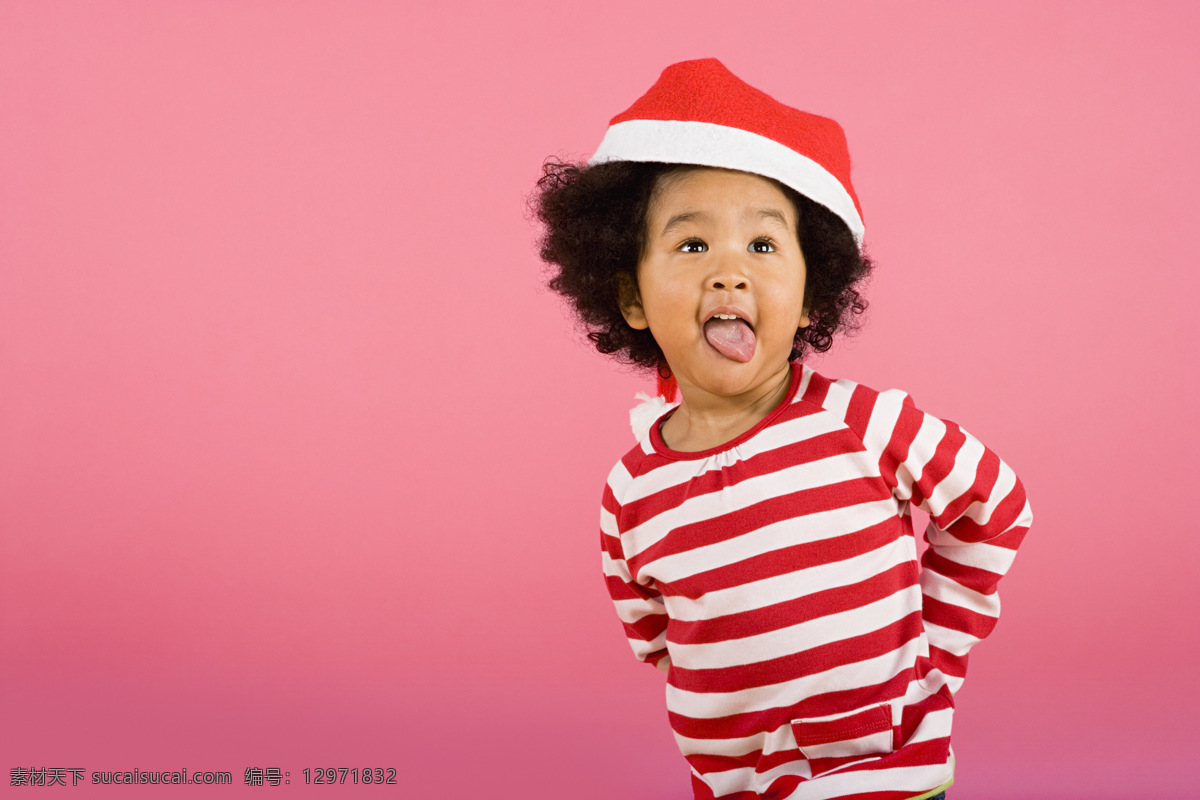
<point x="979" y="516"/>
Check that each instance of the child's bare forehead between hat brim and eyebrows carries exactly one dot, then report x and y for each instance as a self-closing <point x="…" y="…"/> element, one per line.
<point x="705" y="189"/>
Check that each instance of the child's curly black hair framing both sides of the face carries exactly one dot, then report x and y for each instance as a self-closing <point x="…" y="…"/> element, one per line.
<point x="595" y="220"/>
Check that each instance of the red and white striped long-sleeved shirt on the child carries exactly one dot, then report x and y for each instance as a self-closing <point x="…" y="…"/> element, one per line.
<point x="811" y="657"/>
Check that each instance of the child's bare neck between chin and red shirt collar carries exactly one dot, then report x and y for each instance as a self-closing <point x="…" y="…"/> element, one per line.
<point x="705" y="420"/>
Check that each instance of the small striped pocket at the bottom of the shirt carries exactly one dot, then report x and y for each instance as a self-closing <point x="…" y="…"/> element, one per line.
<point x="838" y="741"/>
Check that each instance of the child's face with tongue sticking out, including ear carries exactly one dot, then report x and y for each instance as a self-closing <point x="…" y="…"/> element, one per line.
<point x="721" y="243"/>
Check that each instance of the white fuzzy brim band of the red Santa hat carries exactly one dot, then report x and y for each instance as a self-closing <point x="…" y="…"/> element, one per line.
<point x="677" y="142"/>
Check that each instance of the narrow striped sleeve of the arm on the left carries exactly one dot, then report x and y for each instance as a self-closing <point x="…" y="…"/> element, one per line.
<point x="640" y="609"/>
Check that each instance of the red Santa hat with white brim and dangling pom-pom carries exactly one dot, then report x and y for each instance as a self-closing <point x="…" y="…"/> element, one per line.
<point x="700" y="113"/>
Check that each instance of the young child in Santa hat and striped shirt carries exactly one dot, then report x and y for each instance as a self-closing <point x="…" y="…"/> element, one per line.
<point x="758" y="542"/>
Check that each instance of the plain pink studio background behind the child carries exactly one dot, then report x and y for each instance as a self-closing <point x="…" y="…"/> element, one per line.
<point x="301" y="467"/>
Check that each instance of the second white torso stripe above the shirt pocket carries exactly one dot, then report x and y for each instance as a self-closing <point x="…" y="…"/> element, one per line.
<point x="797" y="639"/>
